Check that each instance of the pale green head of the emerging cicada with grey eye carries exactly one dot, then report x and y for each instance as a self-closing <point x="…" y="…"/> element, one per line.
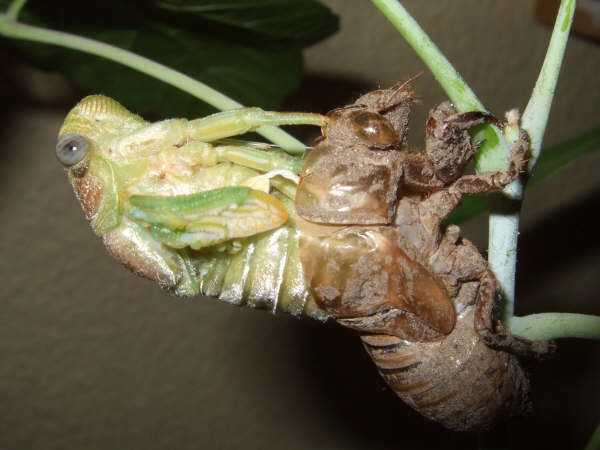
<point x="84" y="148"/>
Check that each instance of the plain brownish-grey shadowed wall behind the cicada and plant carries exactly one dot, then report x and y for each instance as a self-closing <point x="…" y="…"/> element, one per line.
<point x="92" y="357"/>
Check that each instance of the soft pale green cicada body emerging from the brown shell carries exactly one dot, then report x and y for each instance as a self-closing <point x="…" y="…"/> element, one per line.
<point x="181" y="204"/>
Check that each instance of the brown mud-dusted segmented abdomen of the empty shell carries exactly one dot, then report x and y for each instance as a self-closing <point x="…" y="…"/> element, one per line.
<point x="457" y="381"/>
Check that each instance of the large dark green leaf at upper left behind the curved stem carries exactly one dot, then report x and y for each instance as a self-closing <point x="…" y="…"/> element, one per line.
<point x="258" y="73"/>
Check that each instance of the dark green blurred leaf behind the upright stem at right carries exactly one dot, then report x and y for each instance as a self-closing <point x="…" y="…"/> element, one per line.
<point x="551" y="161"/>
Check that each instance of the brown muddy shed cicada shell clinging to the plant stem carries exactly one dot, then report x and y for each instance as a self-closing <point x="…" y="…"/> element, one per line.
<point x="377" y="257"/>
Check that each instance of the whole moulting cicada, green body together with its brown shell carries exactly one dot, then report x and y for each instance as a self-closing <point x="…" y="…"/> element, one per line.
<point x="351" y="232"/>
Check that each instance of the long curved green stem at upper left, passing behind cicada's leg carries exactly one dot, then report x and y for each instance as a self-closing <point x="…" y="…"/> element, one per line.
<point x="16" y="30"/>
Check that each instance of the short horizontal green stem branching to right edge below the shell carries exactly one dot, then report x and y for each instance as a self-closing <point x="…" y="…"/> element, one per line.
<point x="544" y="326"/>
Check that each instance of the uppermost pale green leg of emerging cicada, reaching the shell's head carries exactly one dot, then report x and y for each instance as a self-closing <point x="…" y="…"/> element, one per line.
<point x="238" y="121"/>
